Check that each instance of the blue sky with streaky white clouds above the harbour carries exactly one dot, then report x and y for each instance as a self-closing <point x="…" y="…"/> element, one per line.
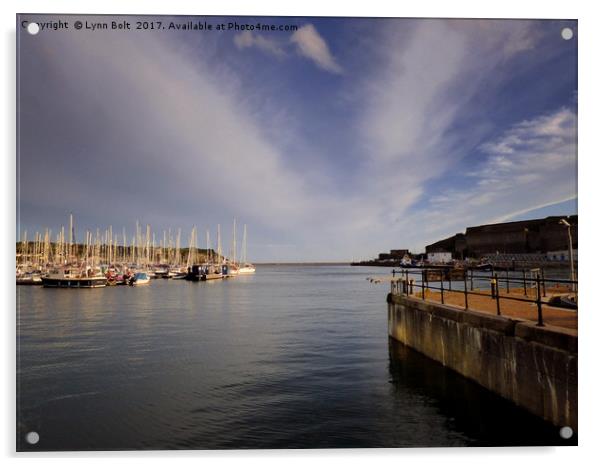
<point x="332" y="142"/>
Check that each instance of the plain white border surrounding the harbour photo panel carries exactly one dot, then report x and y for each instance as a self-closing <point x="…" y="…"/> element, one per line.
<point x="589" y="152"/>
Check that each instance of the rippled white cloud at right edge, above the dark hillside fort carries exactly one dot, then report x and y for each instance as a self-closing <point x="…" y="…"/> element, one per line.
<point x="533" y="164"/>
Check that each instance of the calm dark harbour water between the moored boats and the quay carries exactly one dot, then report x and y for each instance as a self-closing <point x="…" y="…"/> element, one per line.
<point x="292" y="357"/>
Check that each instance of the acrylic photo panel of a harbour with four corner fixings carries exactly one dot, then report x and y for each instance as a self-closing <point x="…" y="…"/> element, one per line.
<point x="295" y="232"/>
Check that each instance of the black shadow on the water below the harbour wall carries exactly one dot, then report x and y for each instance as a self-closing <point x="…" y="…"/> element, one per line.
<point x="464" y="402"/>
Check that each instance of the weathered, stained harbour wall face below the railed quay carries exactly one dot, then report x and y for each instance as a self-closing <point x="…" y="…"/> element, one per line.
<point x="535" y="367"/>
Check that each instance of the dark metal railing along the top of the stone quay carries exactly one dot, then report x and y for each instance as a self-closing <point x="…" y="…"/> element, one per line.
<point x="533" y="279"/>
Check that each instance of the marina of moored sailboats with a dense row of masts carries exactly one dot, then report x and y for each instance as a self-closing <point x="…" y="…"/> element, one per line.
<point x="108" y="260"/>
